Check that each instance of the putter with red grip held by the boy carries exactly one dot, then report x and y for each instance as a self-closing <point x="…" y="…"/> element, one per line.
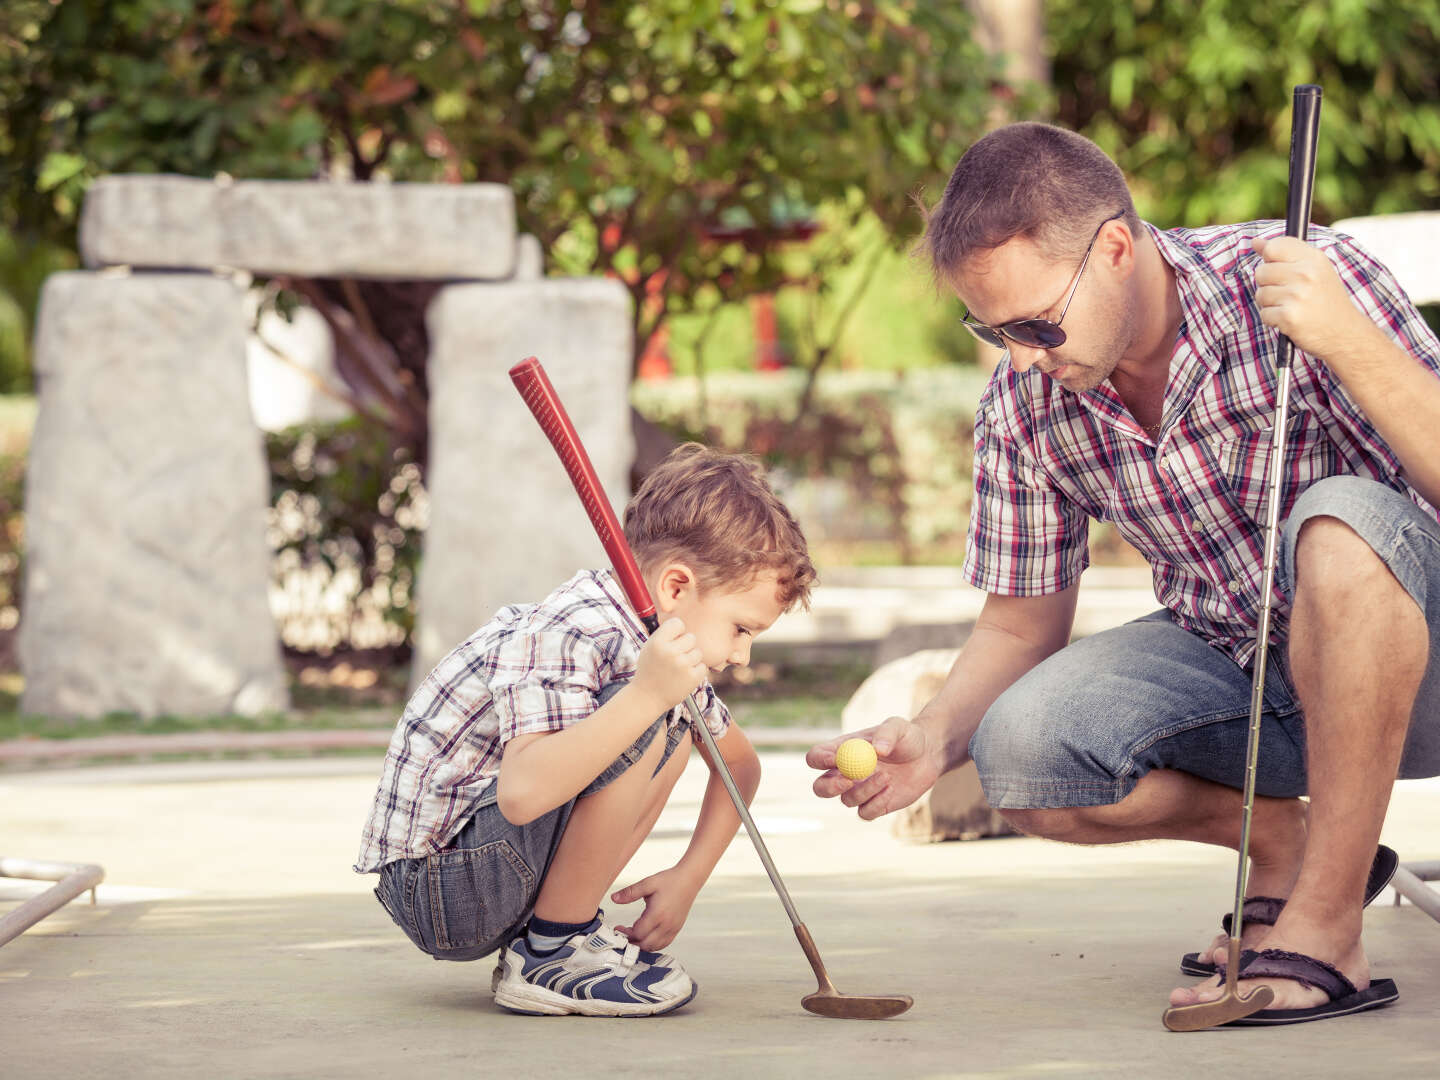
<point x="538" y="392"/>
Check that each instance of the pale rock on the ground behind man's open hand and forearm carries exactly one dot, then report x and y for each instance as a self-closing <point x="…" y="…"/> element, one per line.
<point x="955" y="807"/>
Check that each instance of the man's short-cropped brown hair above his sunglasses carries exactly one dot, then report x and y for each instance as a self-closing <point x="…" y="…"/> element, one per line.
<point x="1035" y="181"/>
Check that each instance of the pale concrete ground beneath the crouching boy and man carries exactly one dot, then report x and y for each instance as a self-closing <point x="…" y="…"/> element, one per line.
<point x="233" y="940"/>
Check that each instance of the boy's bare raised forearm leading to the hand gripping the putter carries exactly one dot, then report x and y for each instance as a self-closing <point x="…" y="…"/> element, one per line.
<point x="552" y="771"/>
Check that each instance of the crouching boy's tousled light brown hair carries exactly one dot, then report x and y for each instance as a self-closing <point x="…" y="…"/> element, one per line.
<point x="718" y="513"/>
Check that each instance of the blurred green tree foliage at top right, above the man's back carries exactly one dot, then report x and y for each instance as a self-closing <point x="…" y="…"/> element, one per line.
<point x="1193" y="100"/>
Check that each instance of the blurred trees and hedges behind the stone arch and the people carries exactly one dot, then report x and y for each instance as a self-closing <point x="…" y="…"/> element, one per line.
<point x="708" y="153"/>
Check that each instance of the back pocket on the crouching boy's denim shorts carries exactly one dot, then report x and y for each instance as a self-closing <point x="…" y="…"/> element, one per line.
<point x="477" y="895"/>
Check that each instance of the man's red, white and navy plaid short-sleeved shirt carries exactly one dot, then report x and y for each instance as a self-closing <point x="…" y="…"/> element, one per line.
<point x="1193" y="502"/>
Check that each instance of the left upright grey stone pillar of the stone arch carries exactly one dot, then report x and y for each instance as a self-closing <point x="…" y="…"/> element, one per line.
<point x="146" y="561"/>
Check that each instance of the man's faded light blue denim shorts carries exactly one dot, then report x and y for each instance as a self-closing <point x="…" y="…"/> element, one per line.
<point x="1084" y="726"/>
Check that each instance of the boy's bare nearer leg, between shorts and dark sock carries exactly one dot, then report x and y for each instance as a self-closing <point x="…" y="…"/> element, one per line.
<point x="600" y="839"/>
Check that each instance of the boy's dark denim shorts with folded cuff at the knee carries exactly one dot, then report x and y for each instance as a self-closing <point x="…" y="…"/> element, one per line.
<point x="474" y="896"/>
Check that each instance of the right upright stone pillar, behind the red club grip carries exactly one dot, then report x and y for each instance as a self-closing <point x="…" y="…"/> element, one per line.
<point x="506" y="525"/>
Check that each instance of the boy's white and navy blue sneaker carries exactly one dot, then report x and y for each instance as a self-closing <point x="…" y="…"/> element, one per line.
<point x="595" y="974"/>
